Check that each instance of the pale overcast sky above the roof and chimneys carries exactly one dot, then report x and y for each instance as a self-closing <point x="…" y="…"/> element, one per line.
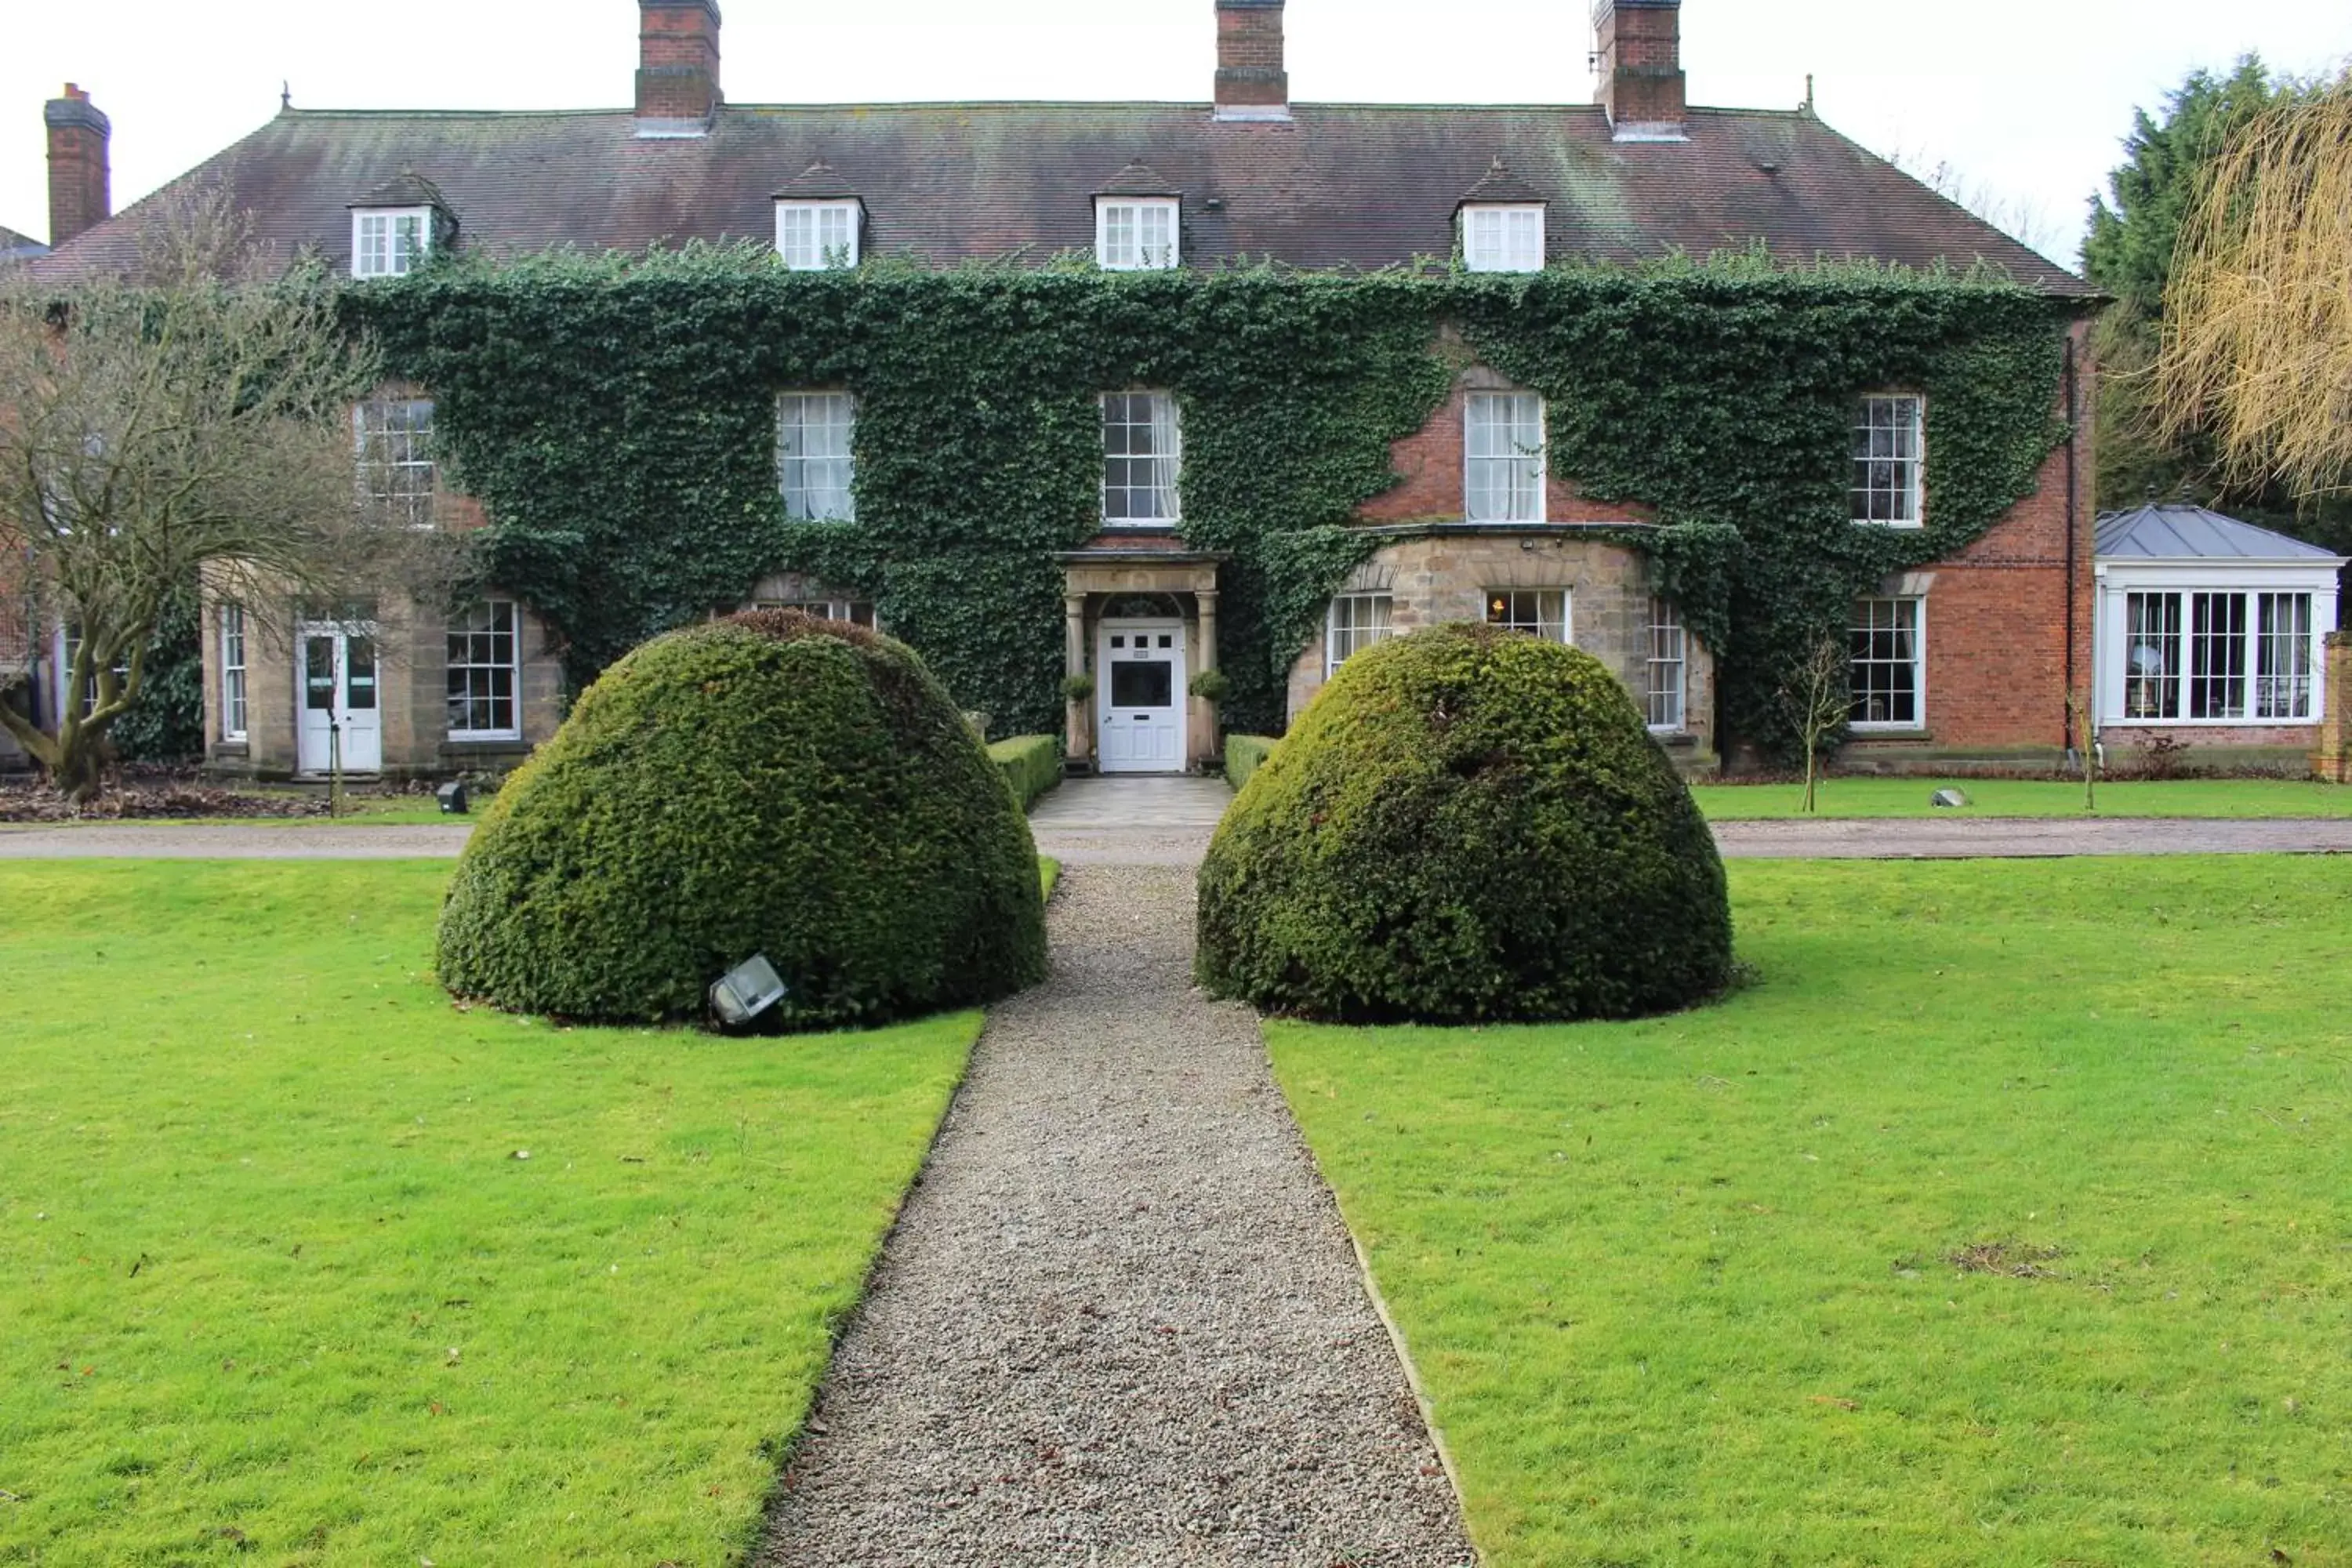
<point x="2026" y="100"/>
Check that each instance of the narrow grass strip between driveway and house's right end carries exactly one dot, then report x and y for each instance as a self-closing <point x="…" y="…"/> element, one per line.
<point x="2231" y="798"/>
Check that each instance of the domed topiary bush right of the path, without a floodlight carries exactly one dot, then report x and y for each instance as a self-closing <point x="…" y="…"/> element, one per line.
<point x="1466" y="826"/>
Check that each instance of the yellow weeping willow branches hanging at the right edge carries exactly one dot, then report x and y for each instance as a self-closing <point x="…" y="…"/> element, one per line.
<point x="2259" y="309"/>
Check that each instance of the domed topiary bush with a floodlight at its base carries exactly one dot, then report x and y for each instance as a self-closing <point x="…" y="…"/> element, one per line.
<point x="763" y="784"/>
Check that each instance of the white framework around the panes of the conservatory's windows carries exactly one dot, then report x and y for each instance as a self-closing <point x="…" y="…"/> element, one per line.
<point x="2191" y="589"/>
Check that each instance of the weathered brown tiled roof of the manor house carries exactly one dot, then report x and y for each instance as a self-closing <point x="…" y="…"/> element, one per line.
<point x="949" y="182"/>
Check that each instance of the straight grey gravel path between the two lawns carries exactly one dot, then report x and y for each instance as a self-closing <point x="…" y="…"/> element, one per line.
<point x="1121" y="1320"/>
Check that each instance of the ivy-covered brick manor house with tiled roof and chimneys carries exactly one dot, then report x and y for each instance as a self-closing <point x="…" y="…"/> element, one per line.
<point x="1140" y="420"/>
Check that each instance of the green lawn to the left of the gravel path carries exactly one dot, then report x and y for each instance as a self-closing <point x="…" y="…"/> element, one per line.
<point x="281" y="1287"/>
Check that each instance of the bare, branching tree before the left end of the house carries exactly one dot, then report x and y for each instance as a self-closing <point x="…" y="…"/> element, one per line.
<point x="187" y="420"/>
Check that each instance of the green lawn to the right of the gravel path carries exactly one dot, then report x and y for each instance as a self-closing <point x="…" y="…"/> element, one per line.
<point x="1702" y="1289"/>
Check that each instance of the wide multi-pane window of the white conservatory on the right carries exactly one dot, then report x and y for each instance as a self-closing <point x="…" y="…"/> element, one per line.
<point x="2217" y="657"/>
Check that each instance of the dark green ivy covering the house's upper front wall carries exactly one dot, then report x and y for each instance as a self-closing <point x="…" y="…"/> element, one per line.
<point x="617" y="420"/>
